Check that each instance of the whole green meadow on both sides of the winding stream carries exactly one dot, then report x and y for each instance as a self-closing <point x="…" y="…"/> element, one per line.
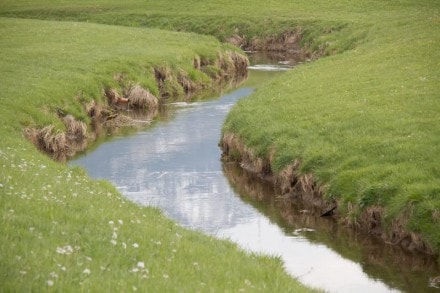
<point x="364" y="120"/>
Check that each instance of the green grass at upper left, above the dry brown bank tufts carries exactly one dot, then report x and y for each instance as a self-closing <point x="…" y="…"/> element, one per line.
<point x="87" y="56"/>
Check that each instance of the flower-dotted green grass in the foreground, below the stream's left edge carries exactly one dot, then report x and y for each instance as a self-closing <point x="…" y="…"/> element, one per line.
<point x="62" y="231"/>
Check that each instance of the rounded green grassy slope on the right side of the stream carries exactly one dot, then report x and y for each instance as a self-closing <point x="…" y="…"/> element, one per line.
<point x="365" y="122"/>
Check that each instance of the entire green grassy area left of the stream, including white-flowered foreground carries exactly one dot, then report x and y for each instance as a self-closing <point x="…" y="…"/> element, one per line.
<point x="63" y="231"/>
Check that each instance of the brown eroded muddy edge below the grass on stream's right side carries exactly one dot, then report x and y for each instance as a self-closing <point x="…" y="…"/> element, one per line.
<point x="302" y="189"/>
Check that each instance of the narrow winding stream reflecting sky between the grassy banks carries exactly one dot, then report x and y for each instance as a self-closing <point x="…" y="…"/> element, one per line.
<point x="175" y="165"/>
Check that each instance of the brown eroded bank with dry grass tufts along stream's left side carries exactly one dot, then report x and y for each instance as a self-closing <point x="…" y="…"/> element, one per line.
<point x="131" y="105"/>
